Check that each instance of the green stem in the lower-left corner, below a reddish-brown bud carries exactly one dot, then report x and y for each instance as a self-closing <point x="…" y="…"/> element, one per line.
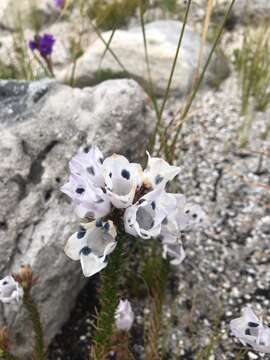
<point x="29" y="303"/>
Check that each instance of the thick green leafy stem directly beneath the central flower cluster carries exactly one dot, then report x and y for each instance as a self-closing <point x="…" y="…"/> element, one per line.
<point x="110" y="282"/>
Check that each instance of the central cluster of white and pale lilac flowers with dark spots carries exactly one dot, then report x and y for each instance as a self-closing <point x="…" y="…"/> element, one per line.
<point x="112" y="193"/>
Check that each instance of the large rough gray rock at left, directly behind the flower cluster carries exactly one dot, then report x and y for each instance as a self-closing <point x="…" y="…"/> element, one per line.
<point x="42" y="125"/>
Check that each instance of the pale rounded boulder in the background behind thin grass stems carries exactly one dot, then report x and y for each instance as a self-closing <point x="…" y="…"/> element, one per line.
<point x="162" y="38"/>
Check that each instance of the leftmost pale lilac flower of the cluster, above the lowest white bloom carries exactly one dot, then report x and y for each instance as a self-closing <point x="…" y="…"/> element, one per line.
<point x="89" y="201"/>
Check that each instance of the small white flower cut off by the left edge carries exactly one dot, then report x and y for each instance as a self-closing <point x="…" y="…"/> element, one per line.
<point x="10" y="290"/>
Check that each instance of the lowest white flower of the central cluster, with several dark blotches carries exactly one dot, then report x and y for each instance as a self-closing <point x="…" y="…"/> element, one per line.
<point x="91" y="244"/>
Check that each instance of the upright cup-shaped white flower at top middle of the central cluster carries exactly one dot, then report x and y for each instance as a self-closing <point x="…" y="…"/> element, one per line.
<point x="122" y="179"/>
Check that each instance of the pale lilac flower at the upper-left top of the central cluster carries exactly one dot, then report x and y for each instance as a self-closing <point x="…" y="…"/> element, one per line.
<point x="88" y="165"/>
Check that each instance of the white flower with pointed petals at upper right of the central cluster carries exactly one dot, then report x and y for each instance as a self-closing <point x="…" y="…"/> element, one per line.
<point x="158" y="172"/>
